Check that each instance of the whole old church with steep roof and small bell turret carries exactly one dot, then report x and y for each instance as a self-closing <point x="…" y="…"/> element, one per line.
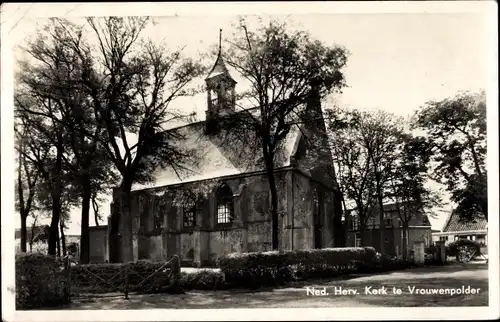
<point x="222" y="204"/>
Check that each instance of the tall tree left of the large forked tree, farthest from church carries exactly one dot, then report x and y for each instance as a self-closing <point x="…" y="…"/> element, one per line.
<point x="52" y="77"/>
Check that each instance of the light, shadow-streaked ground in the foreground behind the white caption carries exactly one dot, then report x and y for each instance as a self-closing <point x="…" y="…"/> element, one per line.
<point x="452" y="276"/>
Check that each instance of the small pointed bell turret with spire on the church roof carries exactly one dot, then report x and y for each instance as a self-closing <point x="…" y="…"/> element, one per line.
<point x="221" y="95"/>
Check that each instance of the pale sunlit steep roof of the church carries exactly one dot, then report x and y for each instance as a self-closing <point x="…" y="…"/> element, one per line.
<point x="221" y="154"/>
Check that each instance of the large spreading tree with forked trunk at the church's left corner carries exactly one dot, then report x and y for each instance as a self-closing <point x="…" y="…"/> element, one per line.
<point x="130" y="84"/>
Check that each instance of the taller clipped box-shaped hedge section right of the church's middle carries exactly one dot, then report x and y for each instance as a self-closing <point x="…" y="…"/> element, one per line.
<point x="276" y="268"/>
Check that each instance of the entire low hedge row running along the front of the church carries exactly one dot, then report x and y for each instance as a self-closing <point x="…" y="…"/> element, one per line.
<point x="238" y="270"/>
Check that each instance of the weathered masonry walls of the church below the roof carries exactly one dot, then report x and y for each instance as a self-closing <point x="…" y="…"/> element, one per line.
<point x="158" y="218"/>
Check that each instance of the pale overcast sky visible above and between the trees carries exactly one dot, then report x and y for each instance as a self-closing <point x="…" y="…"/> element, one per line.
<point x="397" y="61"/>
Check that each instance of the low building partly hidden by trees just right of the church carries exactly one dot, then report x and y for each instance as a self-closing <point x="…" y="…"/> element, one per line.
<point x="419" y="229"/>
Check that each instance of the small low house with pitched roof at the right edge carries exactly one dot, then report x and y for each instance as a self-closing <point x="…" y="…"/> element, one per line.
<point x="455" y="229"/>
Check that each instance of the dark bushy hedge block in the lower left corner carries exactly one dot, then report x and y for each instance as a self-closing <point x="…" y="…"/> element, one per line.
<point x="40" y="282"/>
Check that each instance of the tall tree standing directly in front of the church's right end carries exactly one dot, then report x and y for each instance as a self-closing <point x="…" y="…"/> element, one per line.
<point x="288" y="73"/>
